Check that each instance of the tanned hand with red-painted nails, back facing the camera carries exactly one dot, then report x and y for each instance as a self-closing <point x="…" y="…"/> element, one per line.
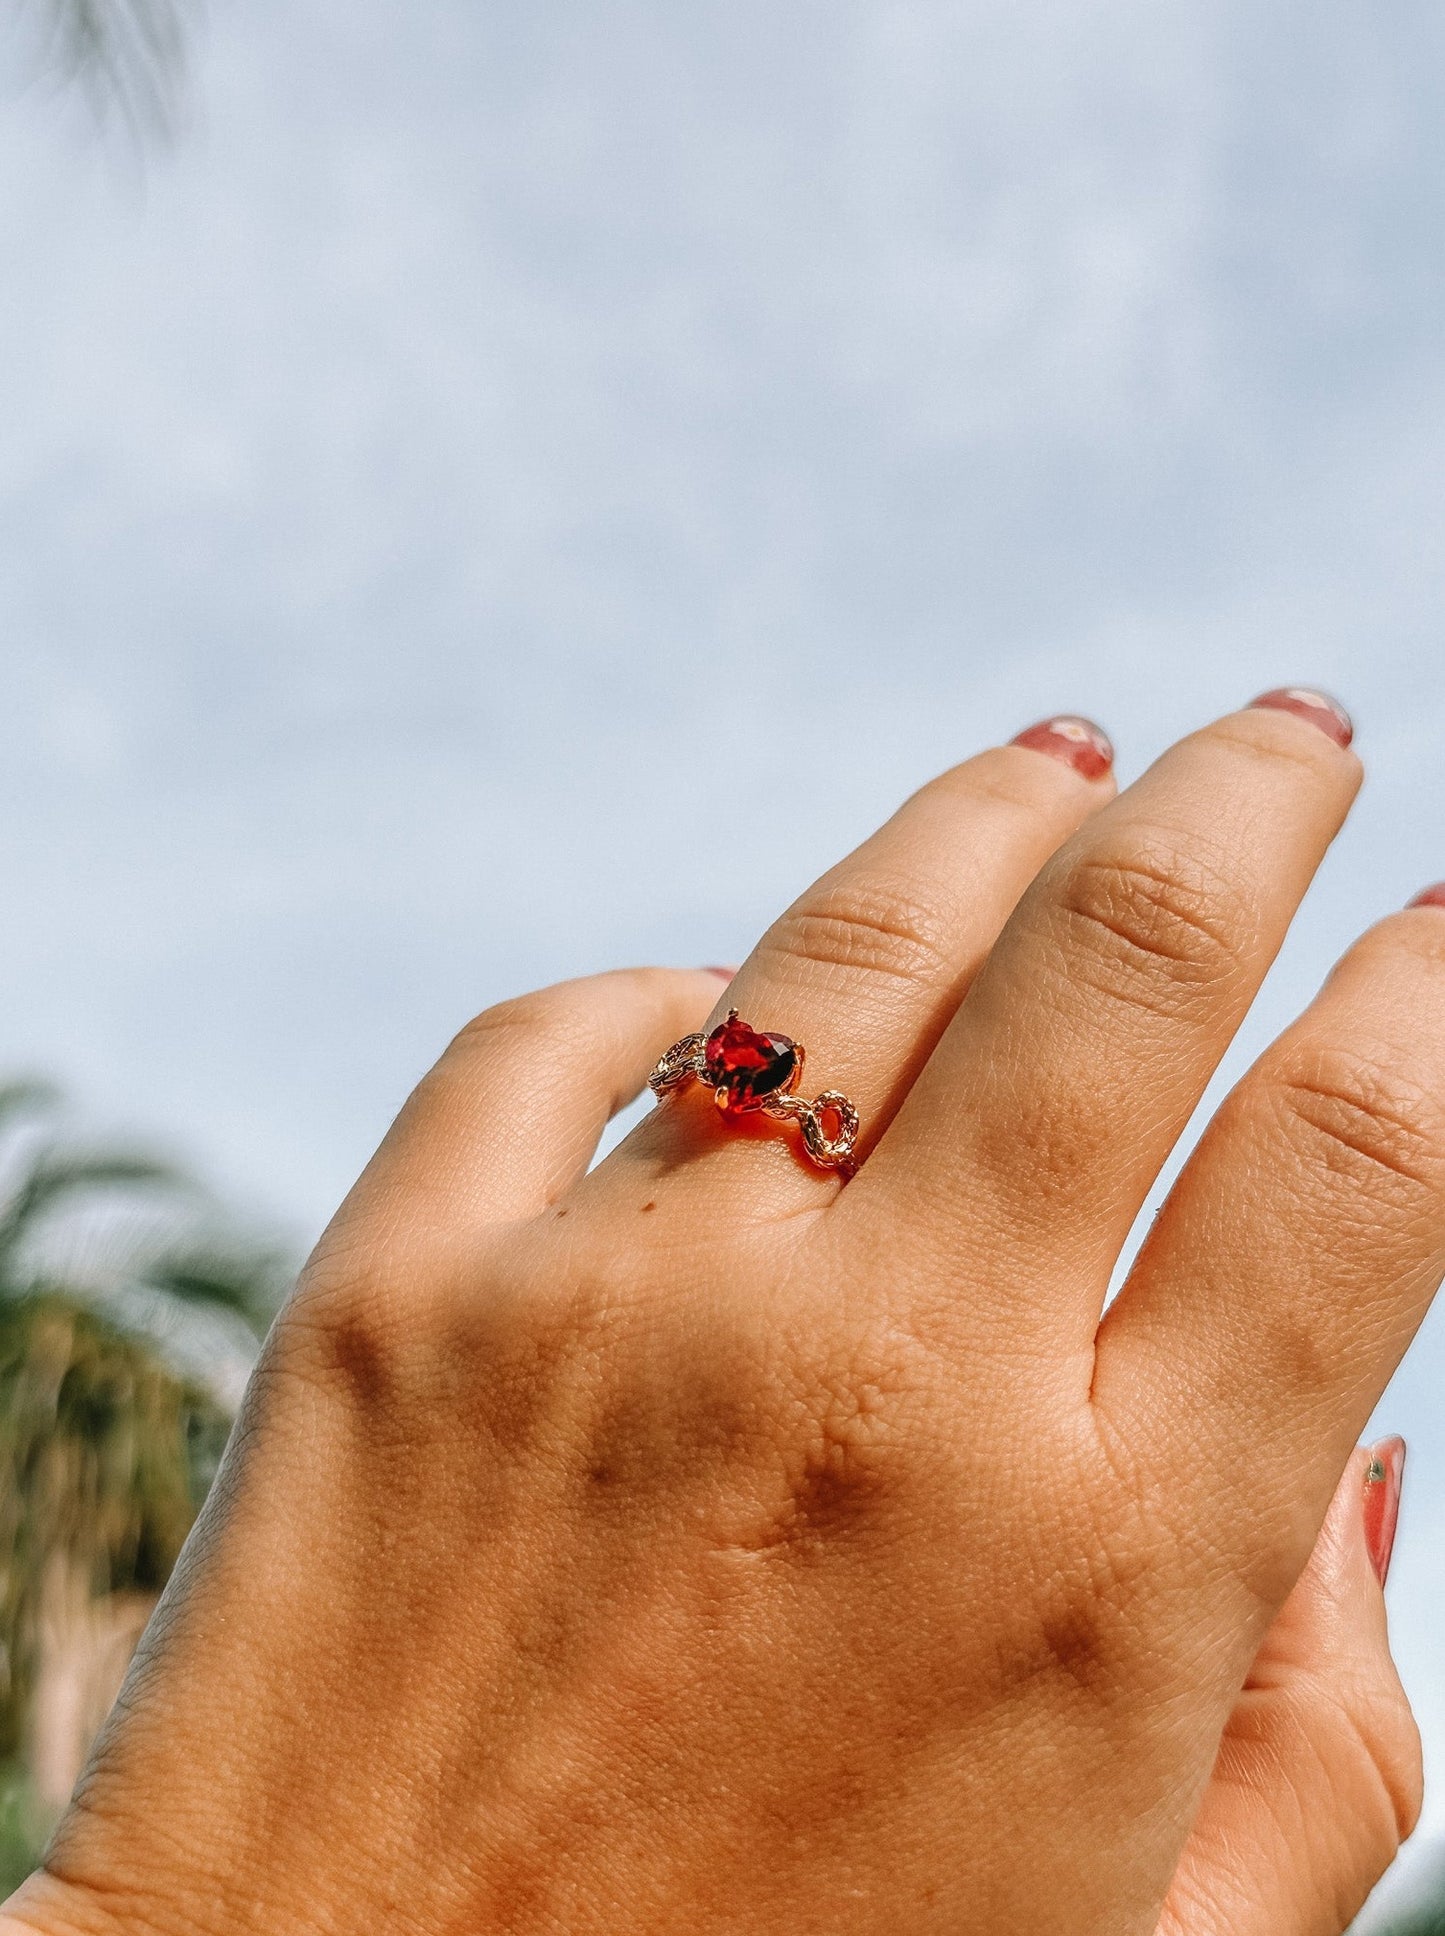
<point x="710" y="1546"/>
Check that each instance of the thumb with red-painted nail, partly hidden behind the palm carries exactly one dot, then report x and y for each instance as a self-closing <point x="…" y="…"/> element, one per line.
<point x="1318" y="1778"/>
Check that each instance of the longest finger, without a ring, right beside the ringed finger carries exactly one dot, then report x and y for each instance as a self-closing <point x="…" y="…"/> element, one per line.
<point x="1086" y="1044"/>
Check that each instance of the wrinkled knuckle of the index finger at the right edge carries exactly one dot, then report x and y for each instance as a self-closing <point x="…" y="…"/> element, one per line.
<point x="1363" y="1120"/>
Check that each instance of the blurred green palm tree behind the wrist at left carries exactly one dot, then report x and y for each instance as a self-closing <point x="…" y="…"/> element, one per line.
<point x="121" y="1298"/>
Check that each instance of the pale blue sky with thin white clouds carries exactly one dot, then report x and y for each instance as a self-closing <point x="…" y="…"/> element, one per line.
<point x="514" y="491"/>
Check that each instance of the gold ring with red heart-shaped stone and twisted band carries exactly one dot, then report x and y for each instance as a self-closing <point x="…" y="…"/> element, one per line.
<point x="756" y="1070"/>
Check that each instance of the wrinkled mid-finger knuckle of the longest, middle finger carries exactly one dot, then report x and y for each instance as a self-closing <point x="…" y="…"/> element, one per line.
<point x="1159" y="926"/>
